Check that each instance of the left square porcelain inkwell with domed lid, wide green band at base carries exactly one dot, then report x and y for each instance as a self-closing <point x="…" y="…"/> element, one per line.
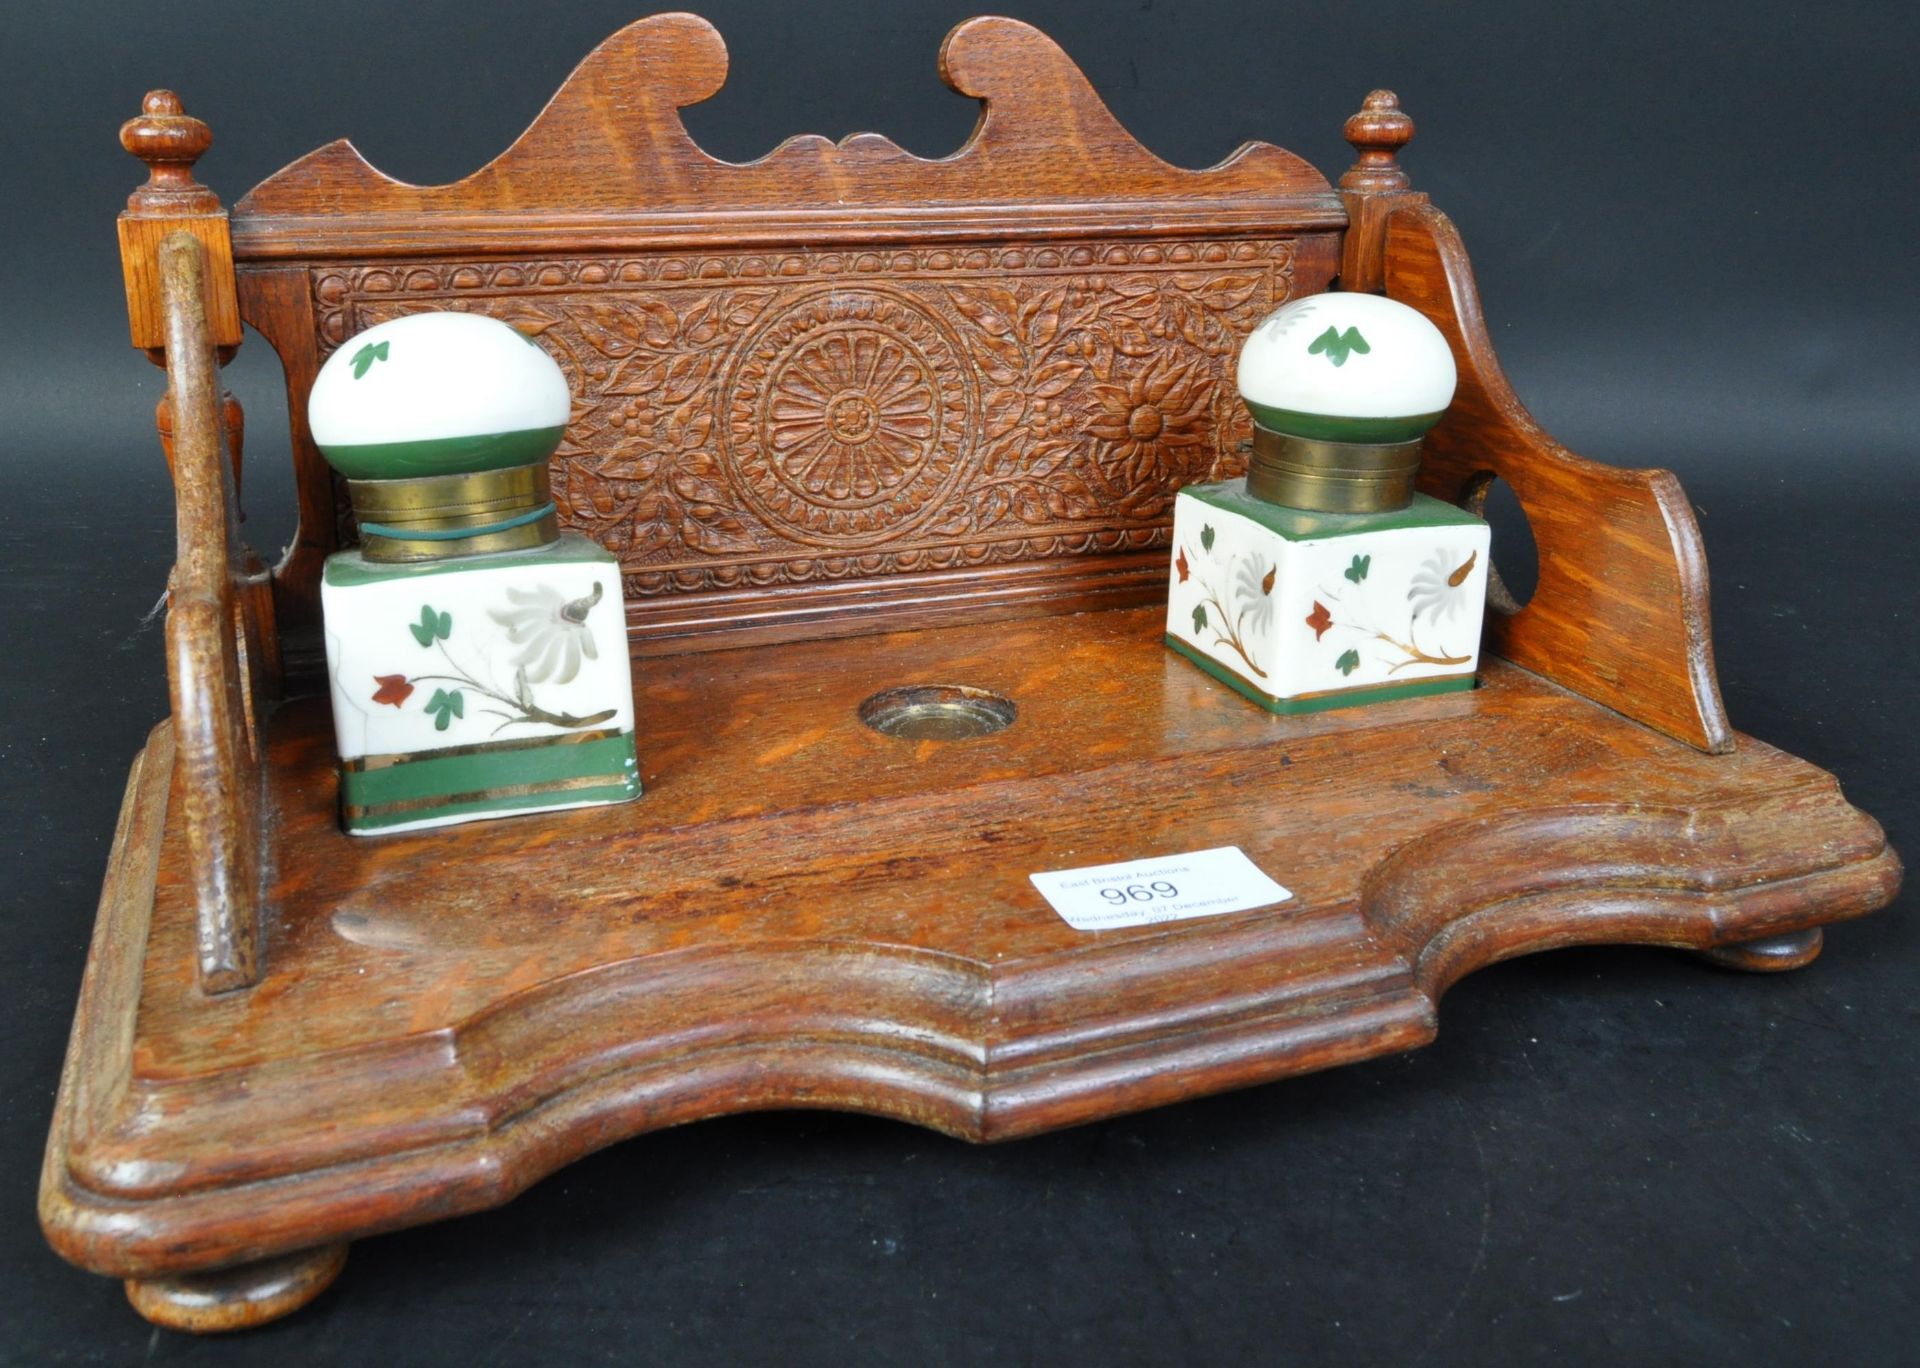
<point x="477" y="656"/>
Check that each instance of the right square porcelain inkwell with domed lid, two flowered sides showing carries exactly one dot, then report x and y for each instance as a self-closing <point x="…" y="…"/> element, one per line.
<point x="1324" y="579"/>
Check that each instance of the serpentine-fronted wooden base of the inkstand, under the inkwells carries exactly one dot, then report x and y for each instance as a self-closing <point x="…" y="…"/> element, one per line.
<point x="807" y="914"/>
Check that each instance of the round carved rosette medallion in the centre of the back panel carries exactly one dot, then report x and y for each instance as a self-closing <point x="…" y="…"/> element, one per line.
<point x="848" y="418"/>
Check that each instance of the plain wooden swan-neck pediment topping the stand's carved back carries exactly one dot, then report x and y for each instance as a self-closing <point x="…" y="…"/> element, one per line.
<point x="612" y="164"/>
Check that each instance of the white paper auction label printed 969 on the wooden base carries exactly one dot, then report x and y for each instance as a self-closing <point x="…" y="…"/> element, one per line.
<point x="1168" y="889"/>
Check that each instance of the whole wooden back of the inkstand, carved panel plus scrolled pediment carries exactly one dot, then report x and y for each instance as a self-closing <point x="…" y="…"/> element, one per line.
<point x="838" y="389"/>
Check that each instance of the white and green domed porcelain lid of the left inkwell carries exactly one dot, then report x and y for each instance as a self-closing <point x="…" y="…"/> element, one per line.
<point x="437" y="395"/>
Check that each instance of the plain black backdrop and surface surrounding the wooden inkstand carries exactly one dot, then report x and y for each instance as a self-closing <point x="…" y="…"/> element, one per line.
<point x="1694" y="235"/>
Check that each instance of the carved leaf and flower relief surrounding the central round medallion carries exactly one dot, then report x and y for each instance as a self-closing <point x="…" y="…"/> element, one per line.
<point x="1068" y="347"/>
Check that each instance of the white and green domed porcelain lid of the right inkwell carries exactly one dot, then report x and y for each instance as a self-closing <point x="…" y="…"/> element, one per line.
<point x="1347" y="368"/>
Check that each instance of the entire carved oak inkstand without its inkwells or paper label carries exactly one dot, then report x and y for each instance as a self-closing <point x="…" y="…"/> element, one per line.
<point x="289" y="1038"/>
